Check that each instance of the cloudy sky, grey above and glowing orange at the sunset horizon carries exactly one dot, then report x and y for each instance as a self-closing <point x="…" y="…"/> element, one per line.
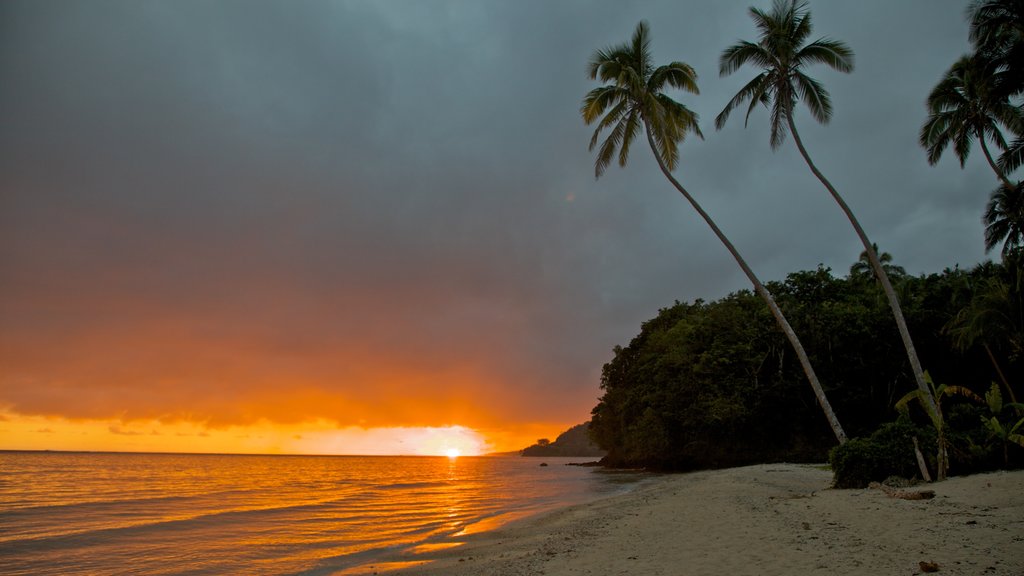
<point x="357" y="227"/>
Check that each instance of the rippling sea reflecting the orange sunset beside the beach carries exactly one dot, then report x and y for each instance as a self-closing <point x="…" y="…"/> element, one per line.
<point x="173" y="514"/>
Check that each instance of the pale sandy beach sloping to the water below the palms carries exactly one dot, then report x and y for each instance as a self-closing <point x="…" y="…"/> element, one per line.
<point x="763" y="520"/>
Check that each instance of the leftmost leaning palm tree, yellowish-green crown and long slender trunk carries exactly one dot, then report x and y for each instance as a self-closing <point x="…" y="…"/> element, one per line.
<point x="634" y="101"/>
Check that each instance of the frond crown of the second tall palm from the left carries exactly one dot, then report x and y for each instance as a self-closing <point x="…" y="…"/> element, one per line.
<point x="782" y="55"/>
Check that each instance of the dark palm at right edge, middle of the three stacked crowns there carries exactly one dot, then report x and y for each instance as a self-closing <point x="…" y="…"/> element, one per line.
<point x="967" y="105"/>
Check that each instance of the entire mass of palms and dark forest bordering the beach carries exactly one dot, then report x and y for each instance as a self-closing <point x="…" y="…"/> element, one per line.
<point x="716" y="384"/>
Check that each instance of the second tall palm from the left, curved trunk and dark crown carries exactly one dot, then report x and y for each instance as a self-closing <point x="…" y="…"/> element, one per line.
<point x="782" y="55"/>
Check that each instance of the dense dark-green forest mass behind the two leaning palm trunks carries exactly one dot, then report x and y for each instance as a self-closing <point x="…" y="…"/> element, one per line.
<point x="715" y="384"/>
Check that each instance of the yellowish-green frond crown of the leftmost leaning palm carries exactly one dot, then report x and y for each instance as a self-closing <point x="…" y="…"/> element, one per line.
<point x="635" y="98"/>
